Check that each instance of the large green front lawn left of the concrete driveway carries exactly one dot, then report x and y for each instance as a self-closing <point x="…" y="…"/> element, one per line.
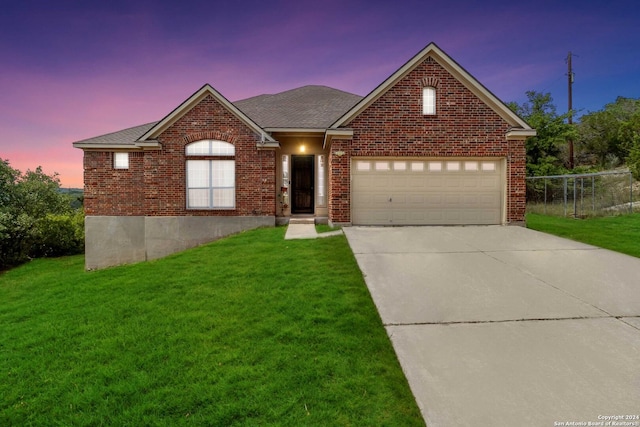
<point x="248" y="330"/>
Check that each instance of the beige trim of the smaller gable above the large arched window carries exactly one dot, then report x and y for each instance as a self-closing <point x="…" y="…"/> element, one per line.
<point x="192" y="101"/>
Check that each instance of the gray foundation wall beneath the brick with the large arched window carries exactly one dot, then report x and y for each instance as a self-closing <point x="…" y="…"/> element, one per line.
<point x="116" y="240"/>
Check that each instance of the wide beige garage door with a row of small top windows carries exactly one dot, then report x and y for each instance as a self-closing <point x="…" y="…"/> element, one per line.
<point x="392" y="191"/>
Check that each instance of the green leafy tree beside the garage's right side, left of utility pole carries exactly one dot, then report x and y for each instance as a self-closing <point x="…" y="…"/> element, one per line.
<point x="545" y="150"/>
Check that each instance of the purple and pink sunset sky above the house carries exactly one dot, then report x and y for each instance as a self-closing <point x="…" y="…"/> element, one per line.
<point x="72" y="70"/>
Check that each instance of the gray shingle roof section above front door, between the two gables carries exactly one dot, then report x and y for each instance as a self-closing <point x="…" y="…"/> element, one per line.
<point x="304" y="107"/>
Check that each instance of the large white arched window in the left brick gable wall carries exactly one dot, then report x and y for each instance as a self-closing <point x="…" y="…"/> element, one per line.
<point x="211" y="181"/>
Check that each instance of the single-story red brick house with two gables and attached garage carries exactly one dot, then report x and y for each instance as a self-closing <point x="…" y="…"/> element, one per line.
<point x="430" y="145"/>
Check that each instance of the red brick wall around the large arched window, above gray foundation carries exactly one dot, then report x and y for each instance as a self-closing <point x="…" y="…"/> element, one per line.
<point x="157" y="184"/>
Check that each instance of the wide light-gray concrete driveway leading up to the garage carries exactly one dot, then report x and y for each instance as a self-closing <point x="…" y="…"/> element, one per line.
<point x="504" y="326"/>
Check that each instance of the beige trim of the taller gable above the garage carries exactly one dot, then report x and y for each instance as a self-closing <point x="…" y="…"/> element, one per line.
<point x="433" y="51"/>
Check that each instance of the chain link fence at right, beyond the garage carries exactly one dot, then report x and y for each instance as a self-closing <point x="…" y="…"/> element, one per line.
<point x="584" y="195"/>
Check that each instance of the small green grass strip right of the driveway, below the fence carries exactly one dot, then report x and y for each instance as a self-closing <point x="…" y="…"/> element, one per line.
<point x="618" y="233"/>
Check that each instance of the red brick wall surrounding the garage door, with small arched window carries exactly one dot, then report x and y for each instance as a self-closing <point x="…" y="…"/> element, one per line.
<point x="464" y="126"/>
